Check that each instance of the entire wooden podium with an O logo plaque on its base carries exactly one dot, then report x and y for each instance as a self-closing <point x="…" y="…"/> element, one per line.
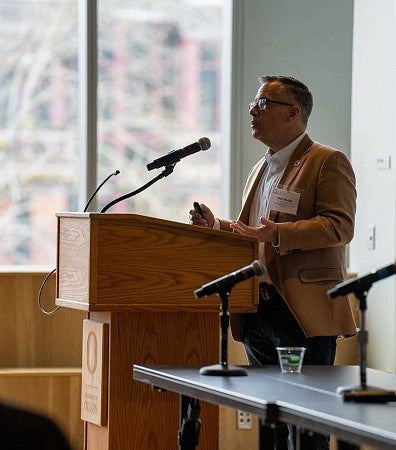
<point x="135" y="276"/>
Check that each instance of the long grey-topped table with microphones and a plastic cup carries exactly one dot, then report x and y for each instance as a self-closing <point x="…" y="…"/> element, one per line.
<point x="308" y="400"/>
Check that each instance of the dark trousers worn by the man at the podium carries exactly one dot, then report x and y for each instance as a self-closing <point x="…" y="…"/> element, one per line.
<point x="275" y="326"/>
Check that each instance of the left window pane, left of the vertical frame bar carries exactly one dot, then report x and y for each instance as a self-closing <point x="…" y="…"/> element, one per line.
<point x="38" y="125"/>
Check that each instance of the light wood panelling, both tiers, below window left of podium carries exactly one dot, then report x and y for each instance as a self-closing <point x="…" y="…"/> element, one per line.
<point x="40" y="355"/>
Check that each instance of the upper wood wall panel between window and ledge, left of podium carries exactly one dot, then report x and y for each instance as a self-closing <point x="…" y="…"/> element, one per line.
<point x="30" y="338"/>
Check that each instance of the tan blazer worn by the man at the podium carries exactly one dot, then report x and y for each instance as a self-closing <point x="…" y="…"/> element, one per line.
<point x="311" y="256"/>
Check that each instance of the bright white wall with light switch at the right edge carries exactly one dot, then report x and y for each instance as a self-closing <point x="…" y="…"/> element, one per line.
<point x="373" y="137"/>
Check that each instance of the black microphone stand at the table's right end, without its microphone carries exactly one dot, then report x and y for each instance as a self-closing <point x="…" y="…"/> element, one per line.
<point x="364" y="393"/>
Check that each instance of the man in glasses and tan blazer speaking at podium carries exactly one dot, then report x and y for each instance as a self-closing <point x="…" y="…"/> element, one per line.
<point x="299" y="201"/>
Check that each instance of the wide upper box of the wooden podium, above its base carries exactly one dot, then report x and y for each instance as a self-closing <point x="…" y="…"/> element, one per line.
<point x="110" y="262"/>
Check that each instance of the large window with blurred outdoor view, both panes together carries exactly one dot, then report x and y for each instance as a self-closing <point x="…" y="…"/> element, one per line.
<point x="159" y="68"/>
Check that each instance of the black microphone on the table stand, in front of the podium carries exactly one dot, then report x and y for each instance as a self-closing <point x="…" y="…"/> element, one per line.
<point x="228" y="281"/>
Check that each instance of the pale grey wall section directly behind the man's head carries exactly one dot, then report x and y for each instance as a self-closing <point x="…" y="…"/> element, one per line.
<point x="308" y="39"/>
